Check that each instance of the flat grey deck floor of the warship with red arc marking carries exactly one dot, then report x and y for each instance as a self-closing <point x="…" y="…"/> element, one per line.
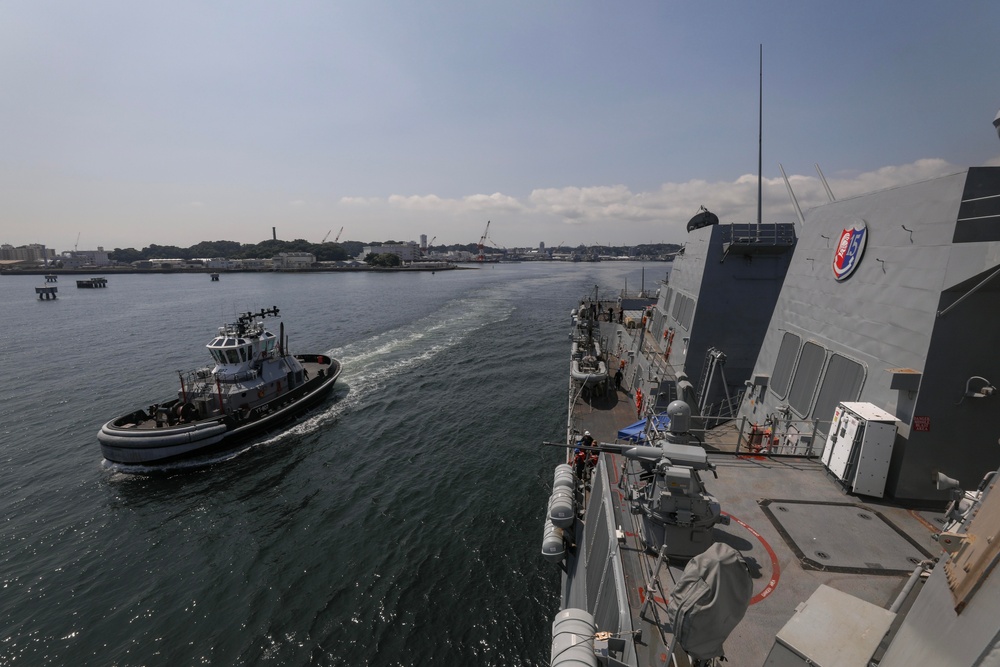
<point x="794" y="524"/>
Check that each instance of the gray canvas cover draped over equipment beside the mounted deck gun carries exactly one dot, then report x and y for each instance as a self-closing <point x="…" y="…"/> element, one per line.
<point x="709" y="600"/>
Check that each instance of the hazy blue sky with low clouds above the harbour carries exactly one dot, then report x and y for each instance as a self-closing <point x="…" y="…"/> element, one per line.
<point x="565" y="122"/>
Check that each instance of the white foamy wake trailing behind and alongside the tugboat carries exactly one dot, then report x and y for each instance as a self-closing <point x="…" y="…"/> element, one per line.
<point x="370" y="366"/>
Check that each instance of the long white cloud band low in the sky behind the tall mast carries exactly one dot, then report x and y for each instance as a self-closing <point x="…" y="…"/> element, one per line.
<point x="660" y="214"/>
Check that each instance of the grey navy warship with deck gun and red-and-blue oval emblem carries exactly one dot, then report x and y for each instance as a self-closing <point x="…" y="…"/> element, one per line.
<point x="796" y="465"/>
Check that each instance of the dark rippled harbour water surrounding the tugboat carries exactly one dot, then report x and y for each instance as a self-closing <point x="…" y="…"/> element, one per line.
<point x="397" y="524"/>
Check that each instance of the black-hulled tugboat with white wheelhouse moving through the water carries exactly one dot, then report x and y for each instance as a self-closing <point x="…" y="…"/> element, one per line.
<point x="254" y="386"/>
